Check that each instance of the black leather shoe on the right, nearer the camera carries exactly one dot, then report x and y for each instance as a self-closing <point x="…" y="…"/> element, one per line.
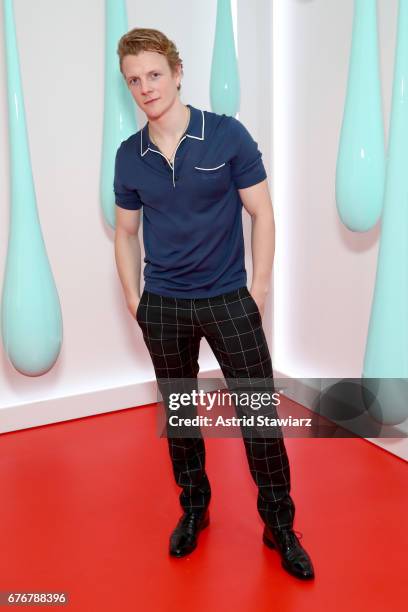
<point x="295" y="559"/>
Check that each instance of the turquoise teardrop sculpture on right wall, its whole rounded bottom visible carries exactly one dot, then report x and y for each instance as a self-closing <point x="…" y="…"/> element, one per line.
<point x="360" y="168"/>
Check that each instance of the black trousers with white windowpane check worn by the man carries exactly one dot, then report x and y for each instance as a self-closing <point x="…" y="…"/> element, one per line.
<point x="172" y="330"/>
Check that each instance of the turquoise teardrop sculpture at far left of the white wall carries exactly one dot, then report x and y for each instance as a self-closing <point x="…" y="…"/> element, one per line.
<point x="31" y="313"/>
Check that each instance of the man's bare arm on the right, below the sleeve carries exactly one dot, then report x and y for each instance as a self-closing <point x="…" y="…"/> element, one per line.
<point x="257" y="202"/>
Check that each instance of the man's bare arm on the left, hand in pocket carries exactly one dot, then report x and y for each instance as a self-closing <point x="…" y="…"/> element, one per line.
<point x="128" y="255"/>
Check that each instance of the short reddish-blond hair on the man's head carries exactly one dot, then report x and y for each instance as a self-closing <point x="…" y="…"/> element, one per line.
<point x="148" y="39"/>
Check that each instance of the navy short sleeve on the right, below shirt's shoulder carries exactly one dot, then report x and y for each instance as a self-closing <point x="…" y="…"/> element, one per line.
<point x="247" y="167"/>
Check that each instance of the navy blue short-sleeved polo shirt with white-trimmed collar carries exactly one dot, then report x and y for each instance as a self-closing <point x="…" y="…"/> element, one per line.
<point x="192" y="212"/>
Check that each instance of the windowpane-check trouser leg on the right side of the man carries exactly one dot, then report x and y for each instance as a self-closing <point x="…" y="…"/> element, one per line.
<point x="233" y="329"/>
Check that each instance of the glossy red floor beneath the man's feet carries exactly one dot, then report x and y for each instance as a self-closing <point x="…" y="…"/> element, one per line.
<point x="79" y="513"/>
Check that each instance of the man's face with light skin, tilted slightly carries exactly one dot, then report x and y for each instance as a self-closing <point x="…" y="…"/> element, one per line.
<point x="148" y="77"/>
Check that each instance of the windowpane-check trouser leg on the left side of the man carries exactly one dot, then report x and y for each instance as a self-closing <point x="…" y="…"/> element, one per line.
<point x="173" y="342"/>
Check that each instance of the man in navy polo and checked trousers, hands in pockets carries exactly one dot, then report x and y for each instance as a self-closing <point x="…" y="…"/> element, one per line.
<point x="192" y="171"/>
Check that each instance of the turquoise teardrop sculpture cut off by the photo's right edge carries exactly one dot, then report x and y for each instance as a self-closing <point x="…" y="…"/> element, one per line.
<point x="386" y="355"/>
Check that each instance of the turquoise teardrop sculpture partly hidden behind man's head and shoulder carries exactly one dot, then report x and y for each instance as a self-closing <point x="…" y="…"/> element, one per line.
<point x="119" y="120"/>
